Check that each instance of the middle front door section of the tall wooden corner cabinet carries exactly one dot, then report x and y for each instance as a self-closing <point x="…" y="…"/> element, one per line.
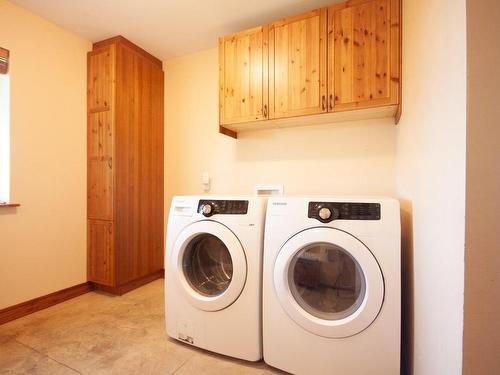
<point x="100" y="166"/>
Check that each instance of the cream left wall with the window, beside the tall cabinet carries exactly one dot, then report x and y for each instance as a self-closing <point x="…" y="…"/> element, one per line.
<point x="43" y="242"/>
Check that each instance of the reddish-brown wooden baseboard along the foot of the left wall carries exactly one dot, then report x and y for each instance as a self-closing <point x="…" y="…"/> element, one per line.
<point x="25" y="308"/>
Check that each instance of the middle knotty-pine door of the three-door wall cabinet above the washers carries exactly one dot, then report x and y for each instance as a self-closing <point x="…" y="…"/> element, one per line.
<point x="298" y="65"/>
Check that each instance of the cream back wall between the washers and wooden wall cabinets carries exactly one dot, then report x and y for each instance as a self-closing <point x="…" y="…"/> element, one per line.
<point x="348" y="158"/>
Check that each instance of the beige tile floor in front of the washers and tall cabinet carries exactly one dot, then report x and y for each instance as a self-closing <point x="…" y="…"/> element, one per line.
<point x="102" y="334"/>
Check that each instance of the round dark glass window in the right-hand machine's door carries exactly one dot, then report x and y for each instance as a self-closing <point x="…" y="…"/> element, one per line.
<point x="326" y="281"/>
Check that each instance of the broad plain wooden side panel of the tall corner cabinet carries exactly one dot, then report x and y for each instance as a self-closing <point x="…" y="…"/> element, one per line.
<point x="139" y="166"/>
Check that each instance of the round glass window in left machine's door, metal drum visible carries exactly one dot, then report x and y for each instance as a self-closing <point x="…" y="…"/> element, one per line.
<point x="207" y="265"/>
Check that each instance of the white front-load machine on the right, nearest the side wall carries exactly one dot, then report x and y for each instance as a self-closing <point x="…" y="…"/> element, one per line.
<point x="331" y="286"/>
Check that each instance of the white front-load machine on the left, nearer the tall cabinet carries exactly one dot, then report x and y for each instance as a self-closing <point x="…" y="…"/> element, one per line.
<point x="214" y="274"/>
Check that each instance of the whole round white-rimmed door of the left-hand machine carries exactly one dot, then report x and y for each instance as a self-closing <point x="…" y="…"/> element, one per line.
<point x="210" y="265"/>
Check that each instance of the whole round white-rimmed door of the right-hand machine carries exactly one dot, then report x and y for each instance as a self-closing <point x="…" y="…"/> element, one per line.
<point x="328" y="282"/>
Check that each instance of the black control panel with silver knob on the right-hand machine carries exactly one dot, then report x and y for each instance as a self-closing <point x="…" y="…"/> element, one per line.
<point x="329" y="211"/>
